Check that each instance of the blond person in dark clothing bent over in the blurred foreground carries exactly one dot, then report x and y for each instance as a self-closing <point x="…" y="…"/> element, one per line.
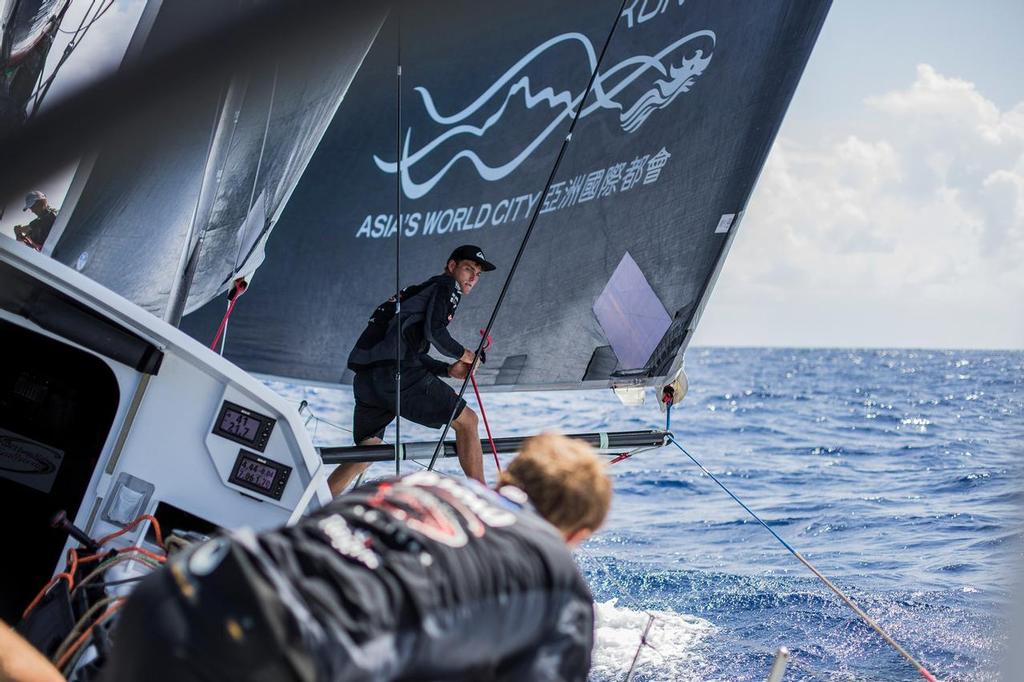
<point x="421" y="578"/>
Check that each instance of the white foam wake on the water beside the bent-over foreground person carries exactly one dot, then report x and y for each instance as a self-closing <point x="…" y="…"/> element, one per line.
<point x="675" y="645"/>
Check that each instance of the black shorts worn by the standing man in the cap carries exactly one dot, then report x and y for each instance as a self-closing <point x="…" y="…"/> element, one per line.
<point x="425" y="400"/>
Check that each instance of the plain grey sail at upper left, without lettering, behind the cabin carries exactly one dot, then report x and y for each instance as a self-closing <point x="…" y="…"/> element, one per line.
<point x="178" y="203"/>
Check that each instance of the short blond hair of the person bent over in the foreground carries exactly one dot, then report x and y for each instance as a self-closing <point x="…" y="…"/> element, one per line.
<point x="565" y="481"/>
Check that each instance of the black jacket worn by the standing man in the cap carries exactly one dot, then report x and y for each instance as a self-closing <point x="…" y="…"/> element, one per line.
<point x="426" y="311"/>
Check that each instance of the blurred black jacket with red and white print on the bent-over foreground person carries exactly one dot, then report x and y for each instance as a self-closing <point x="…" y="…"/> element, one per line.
<point x="433" y="579"/>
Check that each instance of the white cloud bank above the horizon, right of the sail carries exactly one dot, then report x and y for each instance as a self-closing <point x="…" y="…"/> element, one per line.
<point x="907" y="231"/>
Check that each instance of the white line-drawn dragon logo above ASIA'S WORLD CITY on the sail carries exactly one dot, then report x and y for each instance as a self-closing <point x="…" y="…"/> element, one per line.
<point x="635" y="89"/>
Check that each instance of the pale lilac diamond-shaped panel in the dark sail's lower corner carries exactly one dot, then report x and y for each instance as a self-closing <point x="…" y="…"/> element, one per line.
<point x="631" y="315"/>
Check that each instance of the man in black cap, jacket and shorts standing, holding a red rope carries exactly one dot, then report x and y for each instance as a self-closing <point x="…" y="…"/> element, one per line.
<point x="428" y="309"/>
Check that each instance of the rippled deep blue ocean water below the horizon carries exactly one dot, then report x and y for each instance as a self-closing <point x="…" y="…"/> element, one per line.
<point x="898" y="473"/>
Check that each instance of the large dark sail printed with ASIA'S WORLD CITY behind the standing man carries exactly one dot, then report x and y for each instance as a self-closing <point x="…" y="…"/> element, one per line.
<point x="687" y="104"/>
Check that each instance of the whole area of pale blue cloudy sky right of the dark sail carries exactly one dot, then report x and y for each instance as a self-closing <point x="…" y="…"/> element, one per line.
<point x="891" y="210"/>
